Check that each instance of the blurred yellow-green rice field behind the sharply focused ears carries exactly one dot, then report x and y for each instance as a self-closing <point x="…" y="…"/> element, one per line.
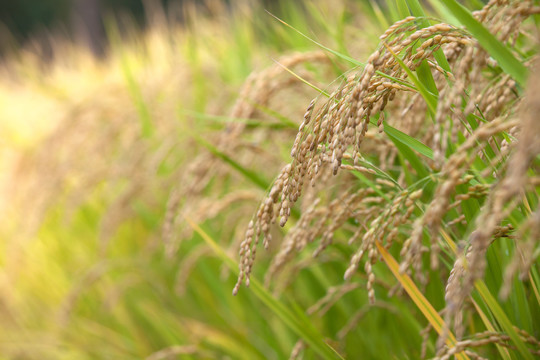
<point x="137" y="140"/>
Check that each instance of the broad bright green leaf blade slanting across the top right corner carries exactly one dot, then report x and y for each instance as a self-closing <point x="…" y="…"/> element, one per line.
<point x="489" y="42"/>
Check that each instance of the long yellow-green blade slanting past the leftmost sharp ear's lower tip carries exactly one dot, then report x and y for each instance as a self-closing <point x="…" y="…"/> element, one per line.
<point x="300" y="326"/>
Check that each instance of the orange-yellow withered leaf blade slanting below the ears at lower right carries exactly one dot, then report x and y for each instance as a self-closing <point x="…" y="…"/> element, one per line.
<point x="418" y="298"/>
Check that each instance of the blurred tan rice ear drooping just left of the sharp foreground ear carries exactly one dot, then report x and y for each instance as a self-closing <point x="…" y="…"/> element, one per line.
<point x="256" y="95"/>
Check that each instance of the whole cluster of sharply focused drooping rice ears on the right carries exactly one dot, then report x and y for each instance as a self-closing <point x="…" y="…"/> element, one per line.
<point x="334" y="139"/>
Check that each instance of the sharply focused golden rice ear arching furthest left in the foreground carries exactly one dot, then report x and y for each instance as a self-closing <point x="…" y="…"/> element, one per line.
<point x="340" y="124"/>
